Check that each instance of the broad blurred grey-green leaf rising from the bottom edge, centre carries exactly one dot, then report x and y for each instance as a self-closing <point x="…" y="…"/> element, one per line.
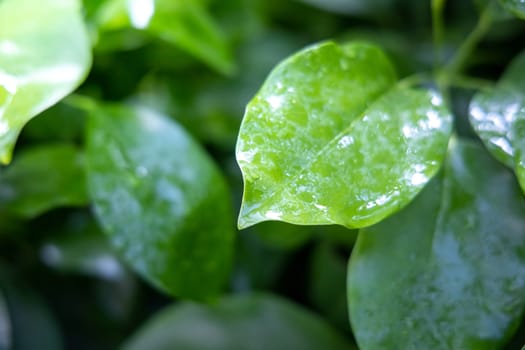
<point x="246" y="322"/>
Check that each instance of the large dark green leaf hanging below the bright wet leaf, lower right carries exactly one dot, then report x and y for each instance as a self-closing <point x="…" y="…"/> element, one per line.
<point x="448" y="272"/>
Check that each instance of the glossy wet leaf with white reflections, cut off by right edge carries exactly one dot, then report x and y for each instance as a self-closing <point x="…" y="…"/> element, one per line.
<point x="496" y="116"/>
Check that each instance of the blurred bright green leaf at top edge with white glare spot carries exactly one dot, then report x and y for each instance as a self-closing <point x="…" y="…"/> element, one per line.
<point x="183" y="23"/>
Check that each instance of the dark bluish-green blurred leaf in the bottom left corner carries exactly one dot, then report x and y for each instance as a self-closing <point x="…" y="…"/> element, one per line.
<point x="32" y="324"/>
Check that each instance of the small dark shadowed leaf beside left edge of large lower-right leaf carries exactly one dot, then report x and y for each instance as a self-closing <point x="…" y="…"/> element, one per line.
<point x="327" y="289"/>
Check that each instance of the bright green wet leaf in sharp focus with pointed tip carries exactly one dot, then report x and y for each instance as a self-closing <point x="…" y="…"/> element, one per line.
<point x="331" y="139"/>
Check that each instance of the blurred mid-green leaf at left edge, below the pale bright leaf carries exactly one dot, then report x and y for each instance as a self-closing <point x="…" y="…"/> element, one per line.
<point x="43" y="178"/>
